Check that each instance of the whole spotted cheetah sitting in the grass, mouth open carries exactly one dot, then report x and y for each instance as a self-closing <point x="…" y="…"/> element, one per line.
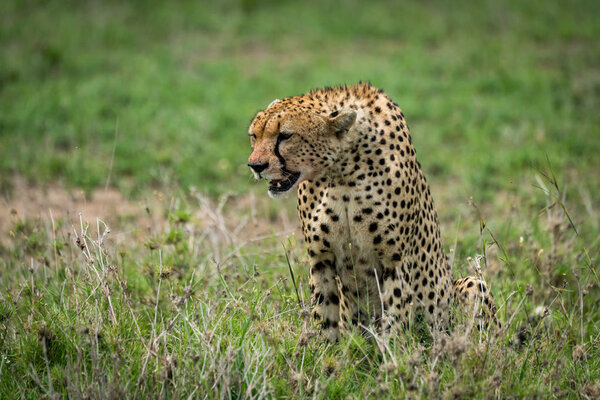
<point x="364" y="205"/>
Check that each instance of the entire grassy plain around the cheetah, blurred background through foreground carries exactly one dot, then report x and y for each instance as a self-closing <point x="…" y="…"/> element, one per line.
<point x="205" y="294"/>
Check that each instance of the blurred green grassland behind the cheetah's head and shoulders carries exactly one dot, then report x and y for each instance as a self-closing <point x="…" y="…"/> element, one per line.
<point x="490" y="89"/>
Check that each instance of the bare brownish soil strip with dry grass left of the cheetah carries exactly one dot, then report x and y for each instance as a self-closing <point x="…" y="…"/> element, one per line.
<point x="243" y="219"/>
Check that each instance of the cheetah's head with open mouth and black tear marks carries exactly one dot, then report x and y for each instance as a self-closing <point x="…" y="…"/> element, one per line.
<point x="292" y="143"/>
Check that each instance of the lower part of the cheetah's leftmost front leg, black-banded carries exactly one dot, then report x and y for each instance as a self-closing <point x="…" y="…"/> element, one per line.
<point x="325" y="298"/>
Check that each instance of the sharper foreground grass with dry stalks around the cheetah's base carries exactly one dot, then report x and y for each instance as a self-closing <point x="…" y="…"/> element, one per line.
<point x="198" y="307"/>
